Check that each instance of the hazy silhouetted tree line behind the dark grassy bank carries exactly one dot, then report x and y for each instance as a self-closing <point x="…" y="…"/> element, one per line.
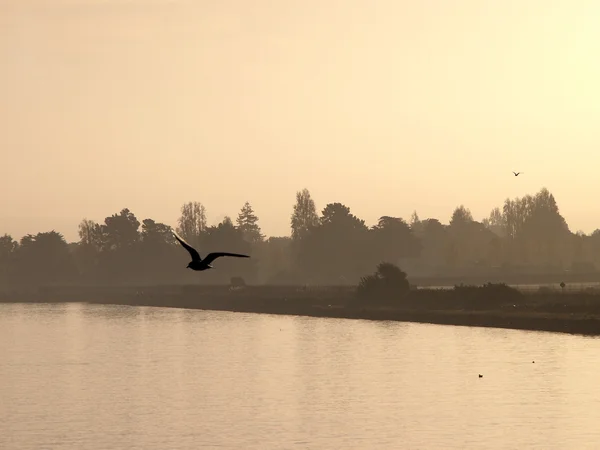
<point x="525" y="235"/>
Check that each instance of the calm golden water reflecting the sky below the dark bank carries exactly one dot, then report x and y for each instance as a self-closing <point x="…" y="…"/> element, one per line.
<point x="78" y="376"/>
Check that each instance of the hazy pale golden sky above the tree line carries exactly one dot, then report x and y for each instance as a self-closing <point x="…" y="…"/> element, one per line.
<point x="384" y="105"/>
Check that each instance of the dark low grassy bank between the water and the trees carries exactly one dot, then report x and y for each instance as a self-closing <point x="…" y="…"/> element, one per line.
<point x="569" y="312"/>
